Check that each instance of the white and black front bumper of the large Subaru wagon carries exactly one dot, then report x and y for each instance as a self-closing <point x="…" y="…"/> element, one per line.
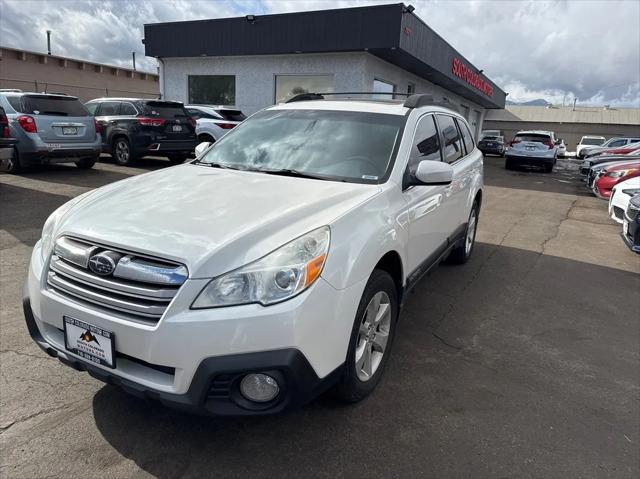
<point x="178" y="359"/>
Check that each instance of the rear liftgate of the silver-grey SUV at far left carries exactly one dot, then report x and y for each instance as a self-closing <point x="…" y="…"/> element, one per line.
<point x="59" y="119"/>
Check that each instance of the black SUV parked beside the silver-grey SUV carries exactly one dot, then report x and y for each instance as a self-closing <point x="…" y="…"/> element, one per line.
<point x="132" y="128"/>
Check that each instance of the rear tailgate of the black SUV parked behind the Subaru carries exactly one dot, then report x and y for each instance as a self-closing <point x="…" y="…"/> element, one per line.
<point x="170" y="120"/>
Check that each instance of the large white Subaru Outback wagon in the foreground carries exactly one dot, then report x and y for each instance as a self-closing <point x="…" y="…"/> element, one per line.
<point x="267" y="270"/>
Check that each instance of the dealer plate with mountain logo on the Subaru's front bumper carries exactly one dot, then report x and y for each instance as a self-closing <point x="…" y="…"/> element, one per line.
<point x="89" y="342"/>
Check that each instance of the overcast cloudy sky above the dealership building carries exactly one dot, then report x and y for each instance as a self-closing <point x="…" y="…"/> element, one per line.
<point x="532" y="49"/>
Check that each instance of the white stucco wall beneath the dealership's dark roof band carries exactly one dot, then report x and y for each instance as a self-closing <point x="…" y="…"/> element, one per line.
<point x="255" y="76"/>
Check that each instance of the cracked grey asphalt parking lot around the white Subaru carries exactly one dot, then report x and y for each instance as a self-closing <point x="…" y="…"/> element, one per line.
<point x="525" y="362"/>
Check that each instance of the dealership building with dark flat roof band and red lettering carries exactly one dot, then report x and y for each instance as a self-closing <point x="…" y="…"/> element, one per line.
<point x="256" y="61"/>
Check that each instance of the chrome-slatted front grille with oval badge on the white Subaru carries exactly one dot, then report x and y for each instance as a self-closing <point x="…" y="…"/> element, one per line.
<point x="137" y="288"/>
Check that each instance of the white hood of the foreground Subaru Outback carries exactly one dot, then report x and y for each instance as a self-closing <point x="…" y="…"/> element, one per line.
<point x="210" y="219"/>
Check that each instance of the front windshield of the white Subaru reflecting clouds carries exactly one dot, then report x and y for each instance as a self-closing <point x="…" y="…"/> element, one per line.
<point x="338" y="145"/>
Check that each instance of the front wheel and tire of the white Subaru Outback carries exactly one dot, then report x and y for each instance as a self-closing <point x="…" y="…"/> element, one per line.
<point x="371" y="338"/>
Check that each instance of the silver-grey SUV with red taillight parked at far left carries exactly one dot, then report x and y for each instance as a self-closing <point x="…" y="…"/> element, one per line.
<point x="50" y="128"/>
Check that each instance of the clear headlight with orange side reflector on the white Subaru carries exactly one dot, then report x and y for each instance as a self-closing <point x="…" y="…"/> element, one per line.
<point x="282" y="274"/>
